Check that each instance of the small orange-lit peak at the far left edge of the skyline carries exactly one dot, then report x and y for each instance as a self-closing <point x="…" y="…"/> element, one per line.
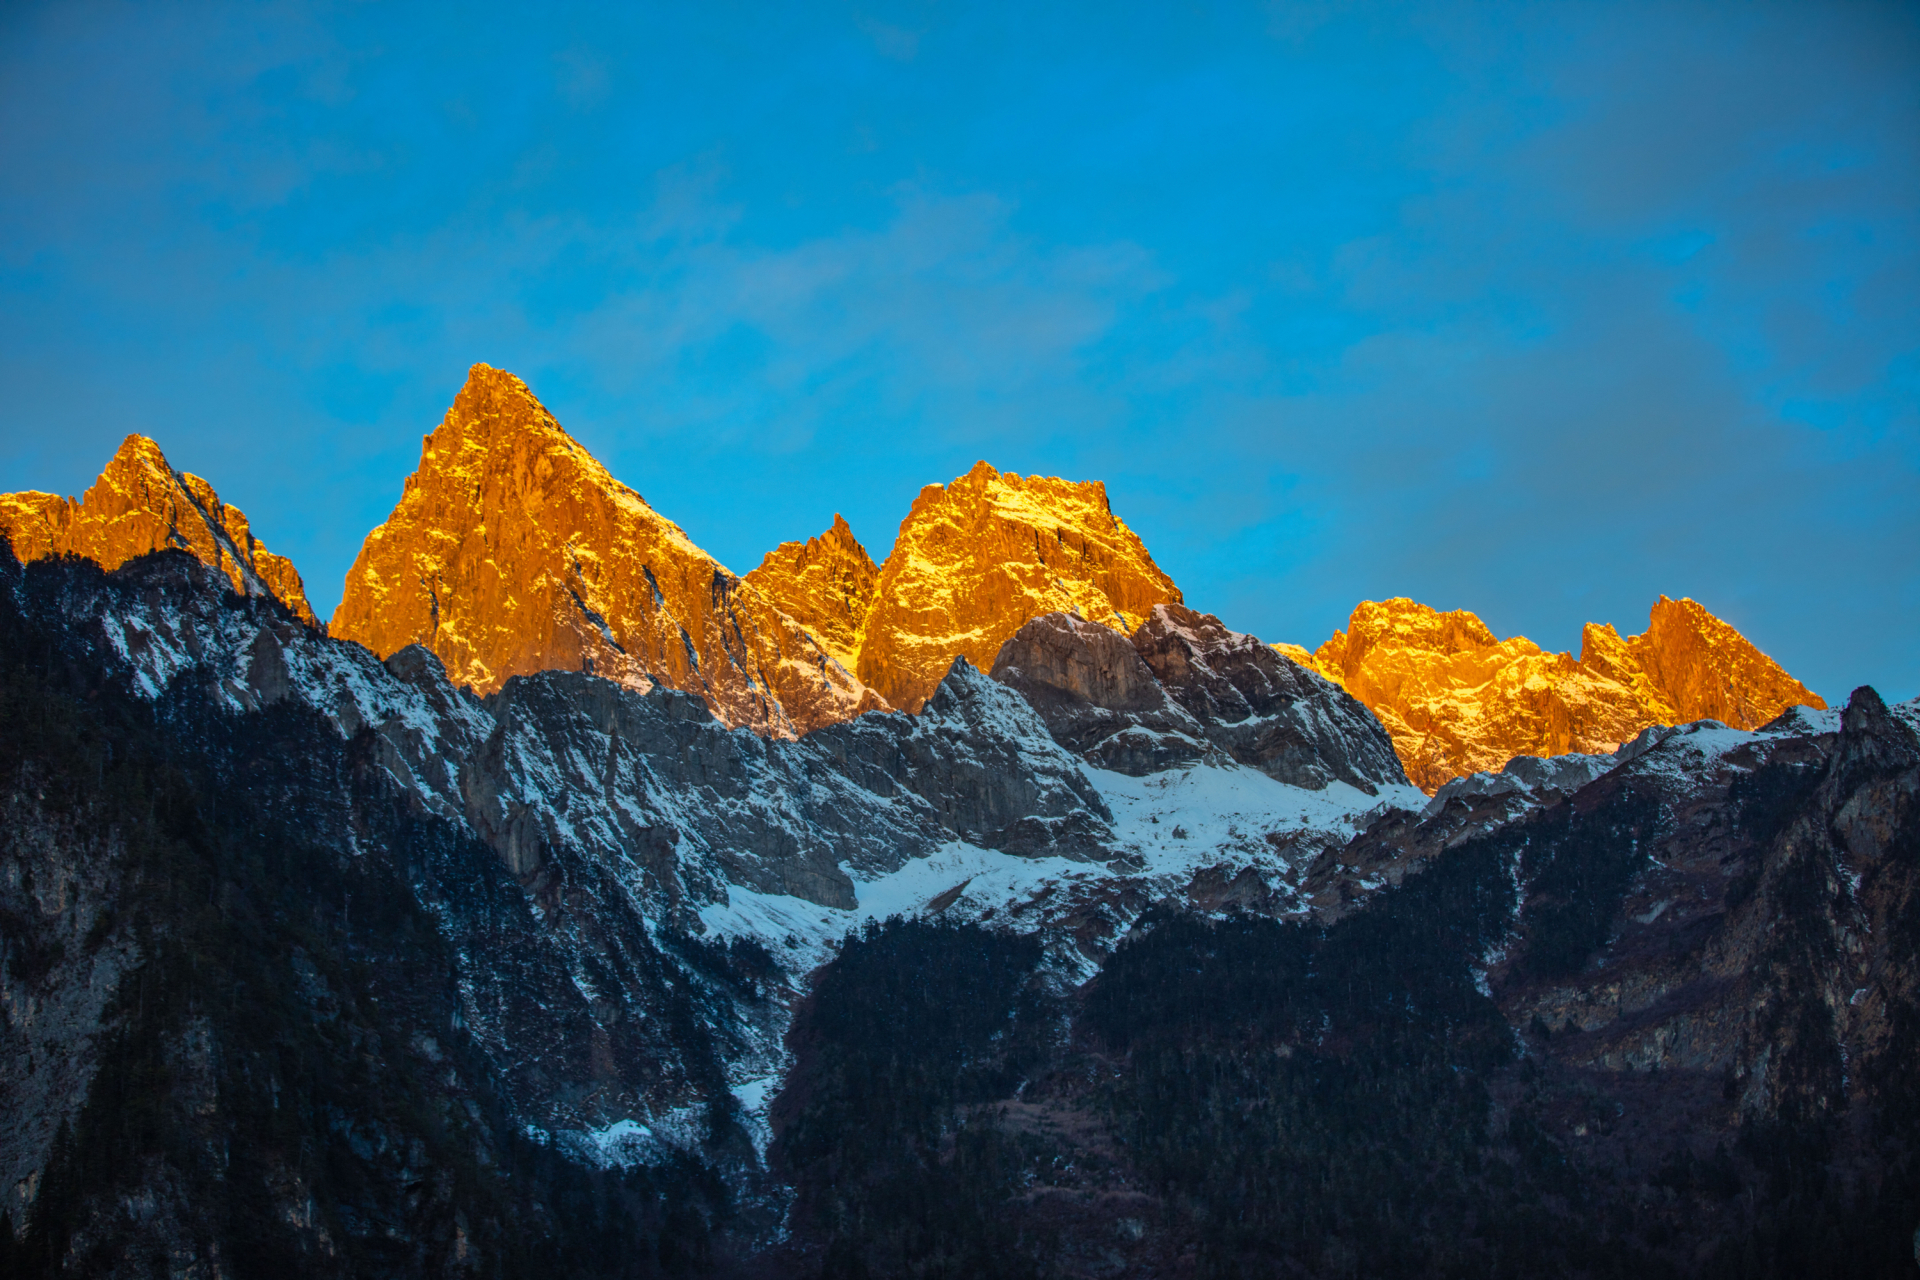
<point x="143" y="506"/>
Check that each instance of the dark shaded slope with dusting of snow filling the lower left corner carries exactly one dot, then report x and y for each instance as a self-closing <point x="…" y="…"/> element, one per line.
<point x="356" y="1041"/>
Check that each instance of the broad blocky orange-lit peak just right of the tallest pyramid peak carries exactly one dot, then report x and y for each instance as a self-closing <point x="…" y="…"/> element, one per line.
<point x="976" y="559"/>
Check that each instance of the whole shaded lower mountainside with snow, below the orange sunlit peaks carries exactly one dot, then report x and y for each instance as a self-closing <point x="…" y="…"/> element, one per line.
<point x="406" y="982"/>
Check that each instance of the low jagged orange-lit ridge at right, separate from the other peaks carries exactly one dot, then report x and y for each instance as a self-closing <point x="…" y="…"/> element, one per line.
<point x="1456" y="699"/>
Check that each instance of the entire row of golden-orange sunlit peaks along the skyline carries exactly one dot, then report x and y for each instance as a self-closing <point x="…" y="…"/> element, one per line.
<point x="516" y="552"/>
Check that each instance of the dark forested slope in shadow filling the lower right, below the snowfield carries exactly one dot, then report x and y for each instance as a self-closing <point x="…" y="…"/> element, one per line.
<point x="1660" y="1028"/>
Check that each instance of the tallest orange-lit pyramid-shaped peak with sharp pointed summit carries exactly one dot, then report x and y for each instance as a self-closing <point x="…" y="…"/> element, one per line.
<point x="516" y="552"/>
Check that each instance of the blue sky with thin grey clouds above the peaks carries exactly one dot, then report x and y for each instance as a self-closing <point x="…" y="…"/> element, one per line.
<point x="1527" y="310"/>
